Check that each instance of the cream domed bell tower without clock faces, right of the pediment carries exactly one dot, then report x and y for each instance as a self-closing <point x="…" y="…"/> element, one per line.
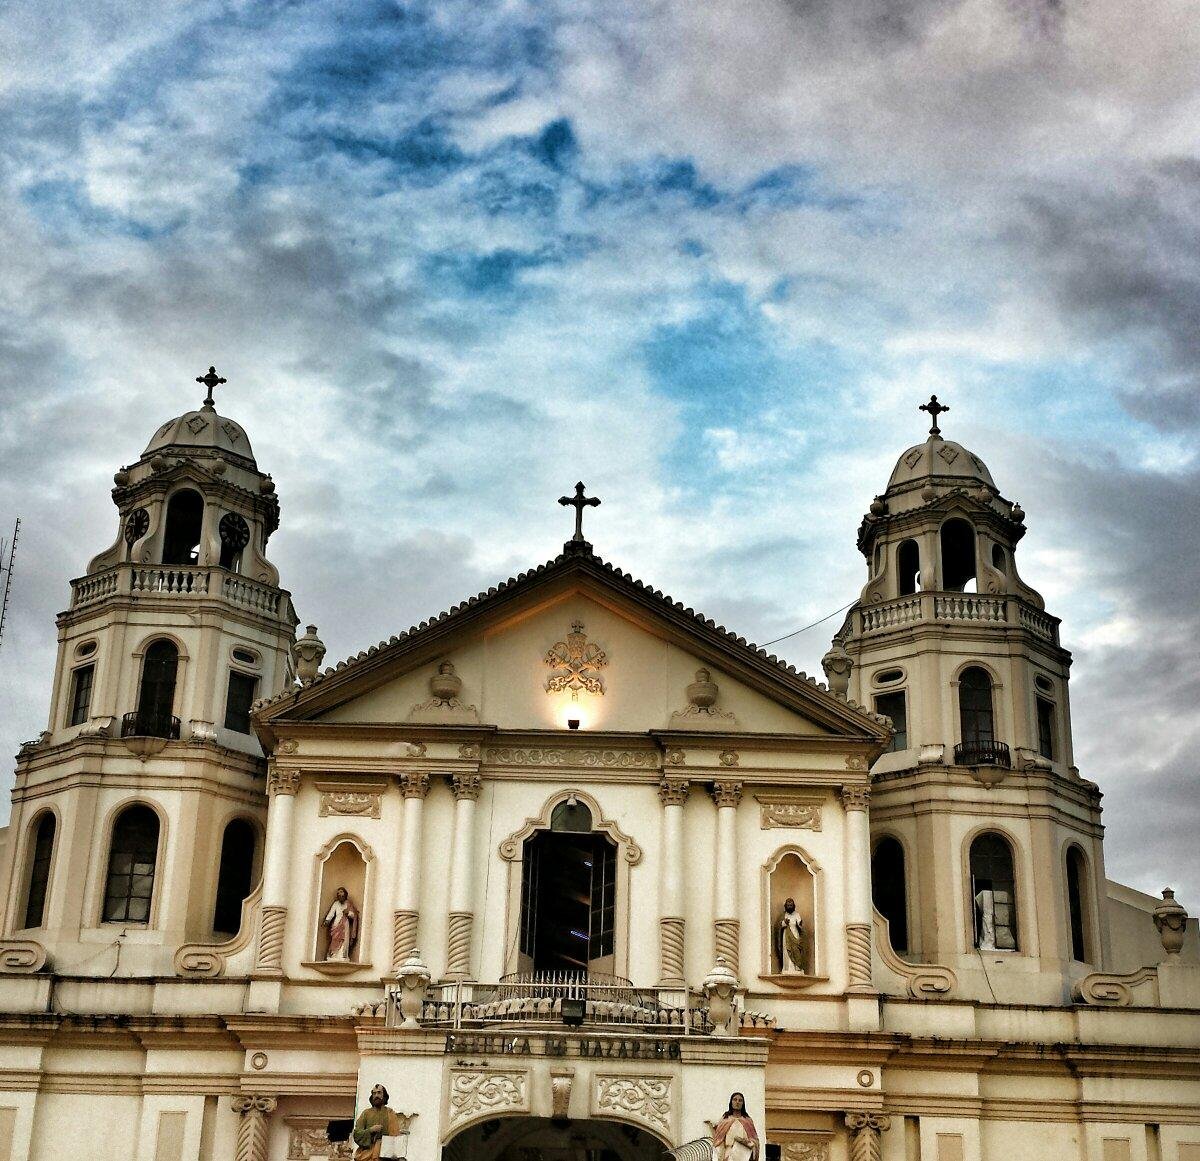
<point x="987" y="844"/>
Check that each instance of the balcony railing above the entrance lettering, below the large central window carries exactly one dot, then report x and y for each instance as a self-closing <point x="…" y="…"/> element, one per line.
<point x="541" y="998"/>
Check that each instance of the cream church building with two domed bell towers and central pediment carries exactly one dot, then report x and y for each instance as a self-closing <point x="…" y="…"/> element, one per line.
<point x="568" y="865"/>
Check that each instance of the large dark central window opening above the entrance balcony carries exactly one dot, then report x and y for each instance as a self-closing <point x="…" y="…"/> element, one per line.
<point x="568" y="900"/>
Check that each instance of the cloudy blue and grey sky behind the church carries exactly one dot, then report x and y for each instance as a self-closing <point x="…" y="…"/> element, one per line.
<point x="706" y="257"/>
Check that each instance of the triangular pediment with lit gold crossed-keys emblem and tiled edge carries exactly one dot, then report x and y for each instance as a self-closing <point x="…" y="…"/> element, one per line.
<point x="577" y="640"/>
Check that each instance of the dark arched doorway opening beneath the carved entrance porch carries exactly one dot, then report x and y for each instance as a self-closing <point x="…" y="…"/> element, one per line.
<point x="537" y="1139"/>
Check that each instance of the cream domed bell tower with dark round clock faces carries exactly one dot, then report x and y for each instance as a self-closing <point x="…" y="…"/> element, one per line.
<point x="139" y="814"/>
